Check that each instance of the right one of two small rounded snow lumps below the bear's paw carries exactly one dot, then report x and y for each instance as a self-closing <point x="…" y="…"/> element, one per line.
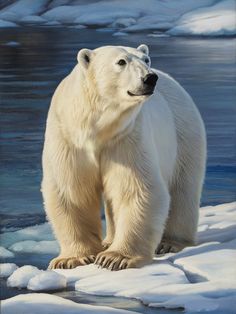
<point x="47" y="280"/>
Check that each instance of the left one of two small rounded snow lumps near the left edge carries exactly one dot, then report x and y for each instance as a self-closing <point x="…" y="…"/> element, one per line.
<point x="22" y="275"/>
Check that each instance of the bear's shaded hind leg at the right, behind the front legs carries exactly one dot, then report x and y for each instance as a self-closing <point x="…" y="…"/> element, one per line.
<point x="181" y="226"/>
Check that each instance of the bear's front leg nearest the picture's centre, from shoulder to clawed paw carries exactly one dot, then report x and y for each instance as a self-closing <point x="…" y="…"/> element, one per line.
<point x="140" y="203"/>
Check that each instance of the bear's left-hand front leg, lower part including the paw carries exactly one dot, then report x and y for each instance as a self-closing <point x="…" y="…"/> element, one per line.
<point x="77" y="228"/>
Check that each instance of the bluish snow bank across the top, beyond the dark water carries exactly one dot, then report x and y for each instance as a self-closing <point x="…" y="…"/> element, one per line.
<point x="202" y="17"/>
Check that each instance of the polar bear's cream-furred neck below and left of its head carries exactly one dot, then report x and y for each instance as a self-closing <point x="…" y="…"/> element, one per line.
<point x="96" y="122"/>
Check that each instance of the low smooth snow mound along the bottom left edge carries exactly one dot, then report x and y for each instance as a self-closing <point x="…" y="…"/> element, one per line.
<point x="38" y="303"/>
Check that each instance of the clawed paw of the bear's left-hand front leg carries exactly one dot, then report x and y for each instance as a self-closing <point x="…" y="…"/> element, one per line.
<point x="71" y="262"/>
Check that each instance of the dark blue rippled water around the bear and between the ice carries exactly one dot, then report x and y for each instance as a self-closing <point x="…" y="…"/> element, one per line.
<point x="29" y="74"/>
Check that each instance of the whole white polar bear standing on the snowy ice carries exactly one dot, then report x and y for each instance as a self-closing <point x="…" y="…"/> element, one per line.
<point x="125" y="133"/>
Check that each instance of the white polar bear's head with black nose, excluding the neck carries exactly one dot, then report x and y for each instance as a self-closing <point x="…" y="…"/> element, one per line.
<point x="120" y="74"/>
